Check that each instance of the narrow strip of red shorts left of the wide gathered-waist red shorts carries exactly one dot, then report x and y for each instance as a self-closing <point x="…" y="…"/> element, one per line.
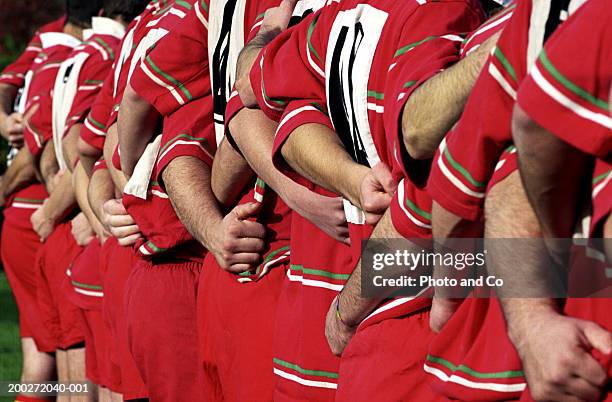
<point x="116" y="264"/>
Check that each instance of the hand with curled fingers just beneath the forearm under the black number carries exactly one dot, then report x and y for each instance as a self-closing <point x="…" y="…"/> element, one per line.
<point x="326" y="213"/>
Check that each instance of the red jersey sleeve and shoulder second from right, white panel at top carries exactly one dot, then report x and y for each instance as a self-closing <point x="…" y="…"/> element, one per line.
<point x="468" y="156"/>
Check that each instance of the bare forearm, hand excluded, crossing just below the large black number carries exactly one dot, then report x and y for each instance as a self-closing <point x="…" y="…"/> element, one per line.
<point x="333" y="169"/>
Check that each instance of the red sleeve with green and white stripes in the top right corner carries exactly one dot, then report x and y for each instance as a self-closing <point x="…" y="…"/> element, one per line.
<point x="567" y="91"/>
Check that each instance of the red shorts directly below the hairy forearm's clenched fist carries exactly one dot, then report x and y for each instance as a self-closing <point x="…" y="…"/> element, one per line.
<point x="236" y="324"/>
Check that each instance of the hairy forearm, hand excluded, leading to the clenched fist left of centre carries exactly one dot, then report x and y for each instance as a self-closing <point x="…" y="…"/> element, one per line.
<point x="187" y="182"/>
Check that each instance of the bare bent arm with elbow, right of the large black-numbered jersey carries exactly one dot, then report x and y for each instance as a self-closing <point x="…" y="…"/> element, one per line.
<point x="443" y="96"/>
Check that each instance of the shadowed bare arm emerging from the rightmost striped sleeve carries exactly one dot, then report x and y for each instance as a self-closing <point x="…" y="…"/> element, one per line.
<point x="551" y="170"/>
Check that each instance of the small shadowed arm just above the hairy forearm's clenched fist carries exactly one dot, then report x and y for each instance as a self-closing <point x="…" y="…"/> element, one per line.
<point x="230" y="174"/>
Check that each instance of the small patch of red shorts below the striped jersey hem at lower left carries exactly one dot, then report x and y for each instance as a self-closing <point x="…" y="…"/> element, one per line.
<point x="96" y="345"/>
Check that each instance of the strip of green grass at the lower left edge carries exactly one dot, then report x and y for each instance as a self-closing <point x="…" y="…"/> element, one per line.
<point x="10" y="350"/>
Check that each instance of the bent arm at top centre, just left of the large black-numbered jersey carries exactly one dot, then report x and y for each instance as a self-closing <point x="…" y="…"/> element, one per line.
<point x="275" y="21"/>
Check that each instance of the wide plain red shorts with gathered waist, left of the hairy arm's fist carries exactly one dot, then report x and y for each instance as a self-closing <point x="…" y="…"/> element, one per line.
<point x="160" y="302"/>
